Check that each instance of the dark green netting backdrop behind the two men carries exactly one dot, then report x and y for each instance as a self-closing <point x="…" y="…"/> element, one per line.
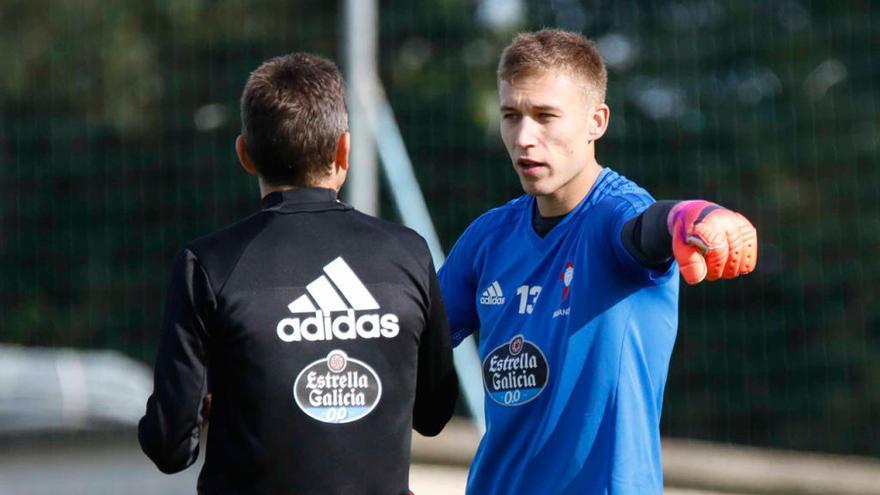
<point x="118" y="119"/>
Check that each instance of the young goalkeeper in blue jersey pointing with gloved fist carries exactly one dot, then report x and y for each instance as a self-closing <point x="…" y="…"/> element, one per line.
<point x="574" y="288"/>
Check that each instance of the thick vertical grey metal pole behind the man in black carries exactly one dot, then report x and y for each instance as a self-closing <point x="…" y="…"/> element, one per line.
<point x="360" y="35"/>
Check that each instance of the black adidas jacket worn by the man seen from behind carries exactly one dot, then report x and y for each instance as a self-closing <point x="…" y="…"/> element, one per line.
<point x="321" y="335"/>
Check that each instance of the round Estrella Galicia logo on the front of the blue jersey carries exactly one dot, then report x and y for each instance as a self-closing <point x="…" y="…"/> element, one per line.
<point x="515" y="372"/>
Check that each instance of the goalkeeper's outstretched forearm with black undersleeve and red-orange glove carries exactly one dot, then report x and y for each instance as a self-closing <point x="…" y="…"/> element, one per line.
<point x="707" y="240"/>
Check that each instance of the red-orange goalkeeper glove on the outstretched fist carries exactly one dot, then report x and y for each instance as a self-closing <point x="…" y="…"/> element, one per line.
<point x="711" y="242"/>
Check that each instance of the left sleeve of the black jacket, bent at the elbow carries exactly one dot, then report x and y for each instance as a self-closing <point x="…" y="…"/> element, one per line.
<point x="169" y="431"/>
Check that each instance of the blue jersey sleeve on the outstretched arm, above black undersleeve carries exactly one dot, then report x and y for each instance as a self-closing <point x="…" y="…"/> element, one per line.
<point x="627" y="208"/>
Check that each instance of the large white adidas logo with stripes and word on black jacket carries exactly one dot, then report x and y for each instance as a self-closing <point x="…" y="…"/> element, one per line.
<point x="339" y="290"/>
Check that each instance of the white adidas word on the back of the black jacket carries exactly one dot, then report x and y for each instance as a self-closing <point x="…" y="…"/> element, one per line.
<point x="323" y="326"/>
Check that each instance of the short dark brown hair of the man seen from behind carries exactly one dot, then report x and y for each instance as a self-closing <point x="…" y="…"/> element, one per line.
<point x="292" y="114"/>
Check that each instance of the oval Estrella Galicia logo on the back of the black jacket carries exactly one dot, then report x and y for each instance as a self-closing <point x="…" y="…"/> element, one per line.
<point x="337" y="389"/>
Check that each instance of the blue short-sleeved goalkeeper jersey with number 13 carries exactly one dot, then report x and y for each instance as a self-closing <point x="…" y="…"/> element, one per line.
<point x="575" y="338"/>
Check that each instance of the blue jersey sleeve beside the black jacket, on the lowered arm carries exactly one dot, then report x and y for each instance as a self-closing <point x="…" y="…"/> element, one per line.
<point x="458" y="285"/>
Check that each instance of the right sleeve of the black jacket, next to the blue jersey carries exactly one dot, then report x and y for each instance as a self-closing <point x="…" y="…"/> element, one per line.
<point x="437" y="384"/>
